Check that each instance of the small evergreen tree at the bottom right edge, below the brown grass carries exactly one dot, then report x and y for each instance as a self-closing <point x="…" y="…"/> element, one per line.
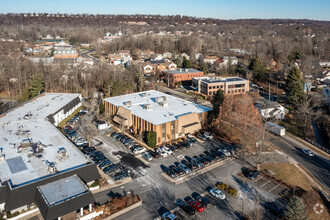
<point x="296" y="209"/>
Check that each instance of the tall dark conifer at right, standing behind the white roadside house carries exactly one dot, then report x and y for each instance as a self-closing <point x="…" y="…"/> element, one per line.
<point x="295" y="86"/>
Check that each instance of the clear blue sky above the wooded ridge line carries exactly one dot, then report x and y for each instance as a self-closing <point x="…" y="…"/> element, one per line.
<point x="223" y="9"/>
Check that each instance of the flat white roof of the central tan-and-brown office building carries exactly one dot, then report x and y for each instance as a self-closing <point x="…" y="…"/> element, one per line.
<point x="157" y="114"/>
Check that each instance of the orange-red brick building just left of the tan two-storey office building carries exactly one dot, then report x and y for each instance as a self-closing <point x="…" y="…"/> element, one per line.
<point x="181" y="75"/>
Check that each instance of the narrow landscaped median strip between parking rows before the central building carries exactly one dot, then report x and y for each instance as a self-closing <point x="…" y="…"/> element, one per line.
<point x="196" y="173"/>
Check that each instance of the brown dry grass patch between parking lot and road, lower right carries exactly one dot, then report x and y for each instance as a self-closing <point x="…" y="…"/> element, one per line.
<point x="289" y="174"/>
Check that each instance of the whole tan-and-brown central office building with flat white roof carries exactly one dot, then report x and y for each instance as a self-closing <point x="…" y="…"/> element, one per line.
<point x="169" y="117"/>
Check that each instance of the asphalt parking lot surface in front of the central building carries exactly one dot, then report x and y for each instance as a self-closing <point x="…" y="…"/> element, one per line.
<point x="157" y="191"/>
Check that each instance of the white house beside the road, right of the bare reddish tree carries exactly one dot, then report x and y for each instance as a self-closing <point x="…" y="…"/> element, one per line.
<point x="271" y="109"/>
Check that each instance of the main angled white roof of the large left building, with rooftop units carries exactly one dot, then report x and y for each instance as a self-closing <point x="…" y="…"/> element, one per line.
<point x="21" y="169"/>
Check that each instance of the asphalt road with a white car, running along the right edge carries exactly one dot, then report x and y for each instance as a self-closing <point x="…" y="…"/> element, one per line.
<point x="318" y="165"/>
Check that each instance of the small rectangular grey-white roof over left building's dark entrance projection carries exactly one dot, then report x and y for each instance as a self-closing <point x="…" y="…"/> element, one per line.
<point x="62" y="190"/>
